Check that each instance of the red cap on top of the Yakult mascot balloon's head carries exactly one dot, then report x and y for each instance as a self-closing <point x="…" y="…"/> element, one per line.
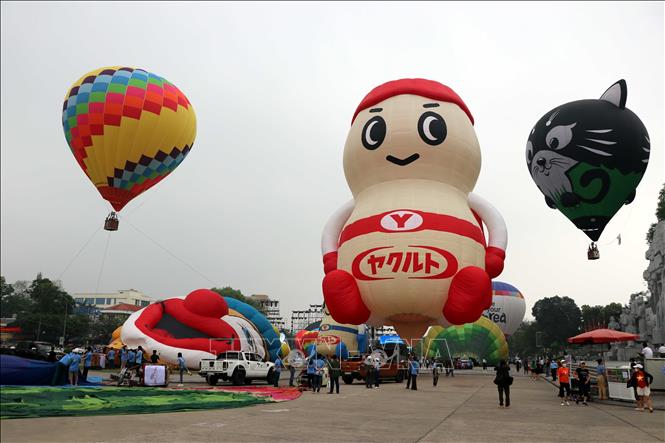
<point x="414" y="86"/>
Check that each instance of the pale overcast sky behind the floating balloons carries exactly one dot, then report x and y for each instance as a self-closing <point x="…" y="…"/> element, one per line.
<point x="274" y="86"/>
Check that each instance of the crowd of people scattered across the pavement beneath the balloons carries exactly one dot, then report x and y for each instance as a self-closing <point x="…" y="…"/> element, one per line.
<point x="573" y="386"/>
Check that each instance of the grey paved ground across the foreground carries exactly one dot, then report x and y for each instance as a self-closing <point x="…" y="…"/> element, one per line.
<point x="461" y="409"/>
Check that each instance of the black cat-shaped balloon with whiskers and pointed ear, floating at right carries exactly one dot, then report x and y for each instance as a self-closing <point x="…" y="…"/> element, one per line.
<point x="588" y="156"/>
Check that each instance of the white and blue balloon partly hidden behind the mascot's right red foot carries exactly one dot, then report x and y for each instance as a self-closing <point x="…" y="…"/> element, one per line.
<point x="508" y="307"/>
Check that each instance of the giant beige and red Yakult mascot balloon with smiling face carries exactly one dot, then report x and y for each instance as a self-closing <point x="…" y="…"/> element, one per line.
<point x="409" y="249"/>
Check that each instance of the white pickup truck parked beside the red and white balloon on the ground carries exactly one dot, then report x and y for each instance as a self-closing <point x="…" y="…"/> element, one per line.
<point x="237" y="366"/>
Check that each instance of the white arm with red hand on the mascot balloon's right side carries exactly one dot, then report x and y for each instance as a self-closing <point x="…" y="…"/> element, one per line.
<point x="495" y="253"/>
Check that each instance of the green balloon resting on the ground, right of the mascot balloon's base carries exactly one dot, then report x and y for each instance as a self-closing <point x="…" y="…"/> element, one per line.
<point x="481" y="339"/>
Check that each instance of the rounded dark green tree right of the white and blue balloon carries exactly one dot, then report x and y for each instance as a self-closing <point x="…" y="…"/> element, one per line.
<point x="557" y="318"/>
